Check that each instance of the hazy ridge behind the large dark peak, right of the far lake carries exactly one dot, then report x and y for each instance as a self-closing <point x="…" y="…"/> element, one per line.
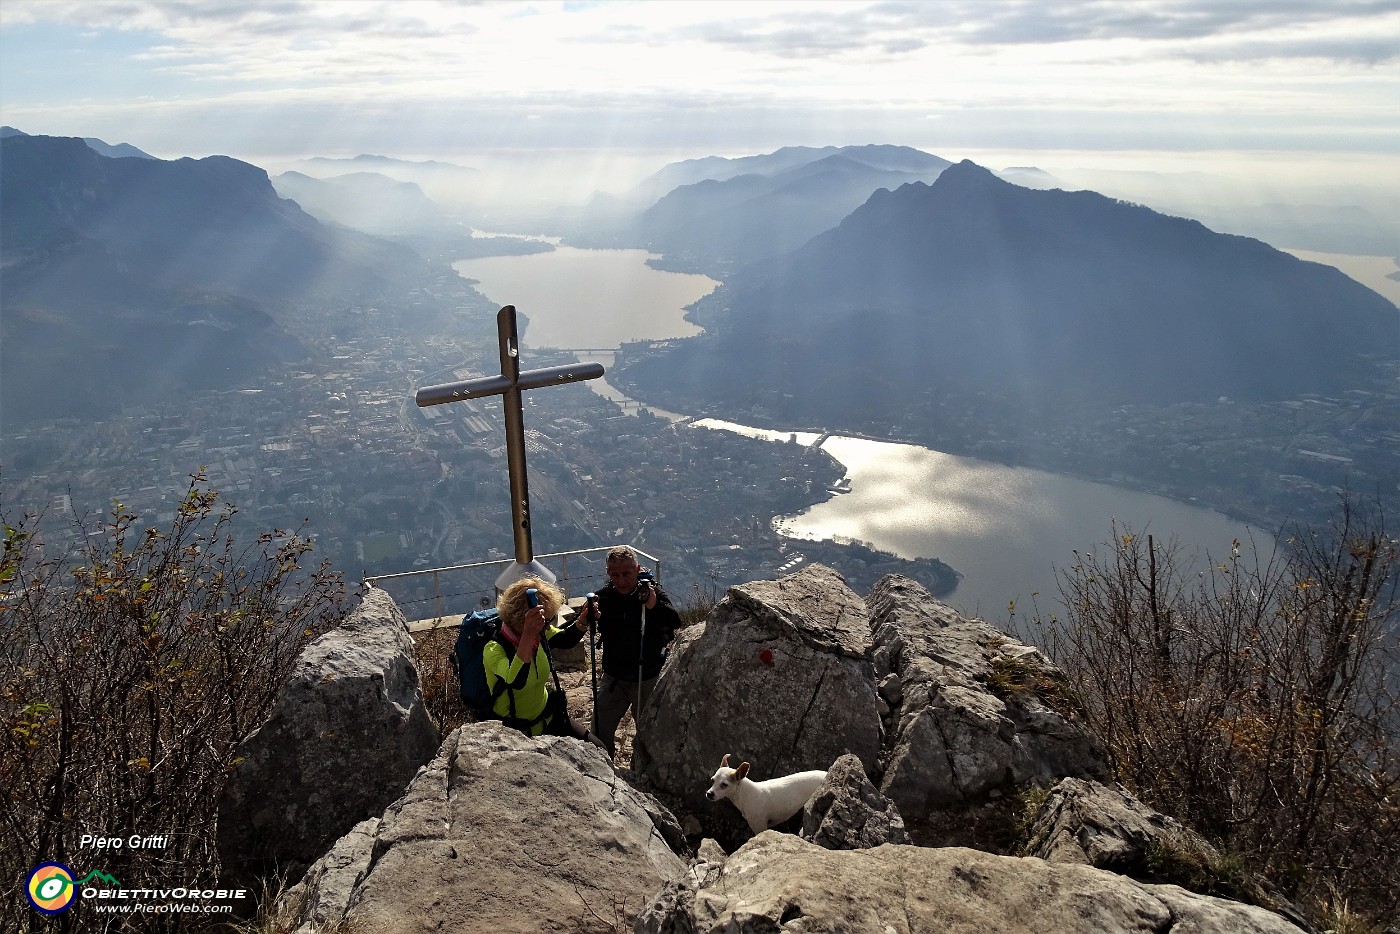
<point x="789" y="198"/>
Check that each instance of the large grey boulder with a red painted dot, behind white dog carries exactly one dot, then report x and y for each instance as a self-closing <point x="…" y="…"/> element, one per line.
<point x="776" y="677"/>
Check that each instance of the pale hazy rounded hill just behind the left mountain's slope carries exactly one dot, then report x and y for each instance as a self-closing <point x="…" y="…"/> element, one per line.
<point x="365" y="201"/>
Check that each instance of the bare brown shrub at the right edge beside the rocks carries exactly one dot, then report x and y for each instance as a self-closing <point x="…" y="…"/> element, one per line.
<point x="1255" y="699"/>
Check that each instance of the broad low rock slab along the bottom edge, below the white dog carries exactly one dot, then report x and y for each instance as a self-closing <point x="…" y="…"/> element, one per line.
<point x="778" y="881"/>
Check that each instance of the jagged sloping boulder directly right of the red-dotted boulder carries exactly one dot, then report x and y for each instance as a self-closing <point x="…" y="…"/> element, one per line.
<point x="972" y="715"/>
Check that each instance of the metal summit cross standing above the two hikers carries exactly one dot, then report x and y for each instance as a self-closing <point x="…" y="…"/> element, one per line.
<point x="509" y="386"/>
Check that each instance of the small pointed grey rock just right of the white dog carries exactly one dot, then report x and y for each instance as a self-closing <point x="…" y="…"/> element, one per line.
<point x="849" y="813"/>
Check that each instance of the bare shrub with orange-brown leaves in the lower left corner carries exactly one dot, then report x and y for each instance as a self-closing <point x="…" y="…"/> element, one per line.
<point x="129" y="673"/>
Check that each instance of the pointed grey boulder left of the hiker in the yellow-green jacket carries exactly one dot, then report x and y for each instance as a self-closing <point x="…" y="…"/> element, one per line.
<point x="346" y="737"/>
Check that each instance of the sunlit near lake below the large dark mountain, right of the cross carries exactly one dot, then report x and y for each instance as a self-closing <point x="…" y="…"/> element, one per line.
<point x="1006" y="530"/>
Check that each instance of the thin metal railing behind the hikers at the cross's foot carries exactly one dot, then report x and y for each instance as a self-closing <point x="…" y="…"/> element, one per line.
<point x="474" y="583"/>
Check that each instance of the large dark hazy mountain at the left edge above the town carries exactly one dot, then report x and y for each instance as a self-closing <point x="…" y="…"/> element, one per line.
<point x="127" y="278"/>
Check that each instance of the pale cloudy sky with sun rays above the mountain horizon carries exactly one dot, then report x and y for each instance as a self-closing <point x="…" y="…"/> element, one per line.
<point x="1266" y="82"/>
